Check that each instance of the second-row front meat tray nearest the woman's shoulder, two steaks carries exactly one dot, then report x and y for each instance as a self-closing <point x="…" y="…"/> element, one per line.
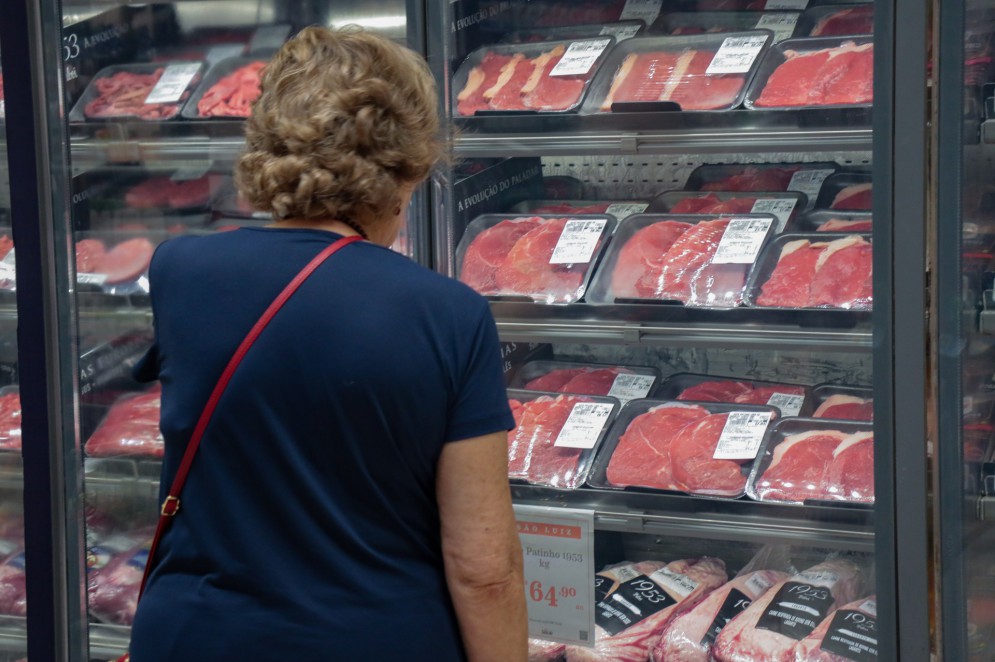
<point x="548" y="259"/>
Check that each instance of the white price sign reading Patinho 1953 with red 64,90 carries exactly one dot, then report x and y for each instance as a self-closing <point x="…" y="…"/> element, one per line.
<point x="558" y="550"/>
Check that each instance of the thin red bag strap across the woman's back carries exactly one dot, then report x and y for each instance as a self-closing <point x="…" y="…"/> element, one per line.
<point x="171" y="505"/>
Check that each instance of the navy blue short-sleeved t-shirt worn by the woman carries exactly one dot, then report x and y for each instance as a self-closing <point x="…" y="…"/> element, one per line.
<point x="309" y="528"/>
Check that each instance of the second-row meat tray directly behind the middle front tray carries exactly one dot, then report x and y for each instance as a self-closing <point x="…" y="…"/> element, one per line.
<point x="785" y="206"/>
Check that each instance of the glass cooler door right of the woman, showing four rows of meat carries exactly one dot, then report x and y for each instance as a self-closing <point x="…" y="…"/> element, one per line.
<point x="685" y="217"/>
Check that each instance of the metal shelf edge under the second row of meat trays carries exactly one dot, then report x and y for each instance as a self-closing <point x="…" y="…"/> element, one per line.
<point x="675" y="325"/>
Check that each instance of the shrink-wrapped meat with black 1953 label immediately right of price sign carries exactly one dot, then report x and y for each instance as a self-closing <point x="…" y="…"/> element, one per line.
<point x="638" y="601"/>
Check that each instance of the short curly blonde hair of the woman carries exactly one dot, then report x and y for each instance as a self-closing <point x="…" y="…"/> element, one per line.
<point x="345" y="118"/>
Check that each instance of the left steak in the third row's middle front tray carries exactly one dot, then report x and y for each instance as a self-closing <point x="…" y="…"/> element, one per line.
<point x="642" y="455"/>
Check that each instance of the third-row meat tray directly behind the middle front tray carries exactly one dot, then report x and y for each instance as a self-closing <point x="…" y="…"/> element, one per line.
<point x="789" y="399"/>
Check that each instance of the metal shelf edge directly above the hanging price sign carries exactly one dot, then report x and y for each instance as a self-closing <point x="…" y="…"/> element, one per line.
<point x="839" y="527"/>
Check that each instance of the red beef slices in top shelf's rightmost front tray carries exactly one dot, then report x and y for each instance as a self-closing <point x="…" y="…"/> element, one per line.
<point x="831" y="76"/>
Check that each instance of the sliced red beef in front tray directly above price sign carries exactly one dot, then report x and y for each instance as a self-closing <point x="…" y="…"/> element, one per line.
<point x="532" y="455"/>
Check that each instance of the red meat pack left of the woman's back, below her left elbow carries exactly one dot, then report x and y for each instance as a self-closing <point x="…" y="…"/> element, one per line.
<point x="131" y="427"/>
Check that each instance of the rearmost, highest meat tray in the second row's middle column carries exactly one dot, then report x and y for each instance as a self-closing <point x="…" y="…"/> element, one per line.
<point x="804" y="178"/>
